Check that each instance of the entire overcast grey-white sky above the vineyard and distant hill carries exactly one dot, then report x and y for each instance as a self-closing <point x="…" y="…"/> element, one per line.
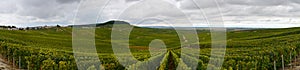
<point x="185" y="13"/>
